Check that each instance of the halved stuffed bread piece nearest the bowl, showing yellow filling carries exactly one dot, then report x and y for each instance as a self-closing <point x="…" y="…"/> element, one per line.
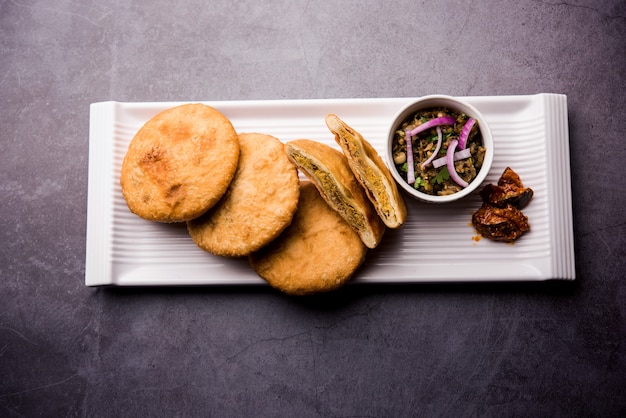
<point x="370" y="171"/>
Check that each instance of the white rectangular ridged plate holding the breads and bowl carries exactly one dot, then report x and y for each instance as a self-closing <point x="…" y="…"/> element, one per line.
<point x="437" y="244"/>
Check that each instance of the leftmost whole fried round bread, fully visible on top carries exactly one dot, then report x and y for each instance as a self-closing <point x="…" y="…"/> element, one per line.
<point x="179" y="163"/>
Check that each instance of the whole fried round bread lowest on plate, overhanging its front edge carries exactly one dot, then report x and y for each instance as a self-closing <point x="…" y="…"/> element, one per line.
<point x="317" y="253"/>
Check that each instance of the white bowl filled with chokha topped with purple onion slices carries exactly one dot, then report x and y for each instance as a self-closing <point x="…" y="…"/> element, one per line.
<point x="440" y="148"/>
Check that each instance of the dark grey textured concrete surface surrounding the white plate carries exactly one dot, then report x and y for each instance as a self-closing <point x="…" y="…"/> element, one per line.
<point x="547" y="349"/>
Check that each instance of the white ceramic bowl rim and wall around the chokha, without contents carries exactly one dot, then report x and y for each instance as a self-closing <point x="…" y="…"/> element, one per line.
<point x="455" y="104"/>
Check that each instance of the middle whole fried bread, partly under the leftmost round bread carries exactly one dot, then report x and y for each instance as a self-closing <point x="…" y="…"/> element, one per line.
<point x="258" y="205"/>
